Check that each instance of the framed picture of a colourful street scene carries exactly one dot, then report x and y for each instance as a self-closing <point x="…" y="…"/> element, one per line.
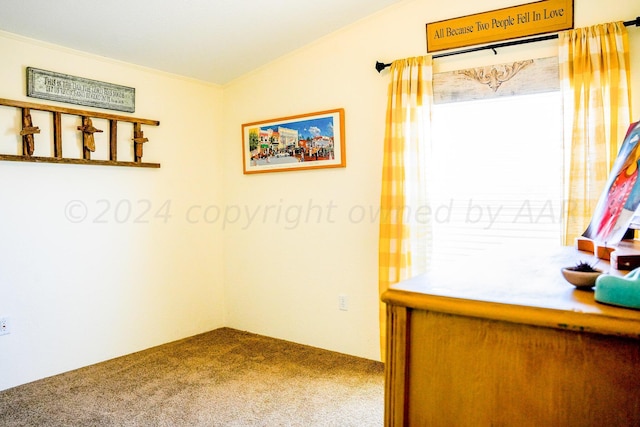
<point x="306" y="141"/>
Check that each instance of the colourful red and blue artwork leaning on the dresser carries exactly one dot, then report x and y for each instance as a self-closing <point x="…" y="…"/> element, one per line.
<point x="618" y="204"/>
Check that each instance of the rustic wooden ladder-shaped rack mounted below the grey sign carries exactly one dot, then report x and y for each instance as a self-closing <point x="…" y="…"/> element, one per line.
<point x="85" y="126"/>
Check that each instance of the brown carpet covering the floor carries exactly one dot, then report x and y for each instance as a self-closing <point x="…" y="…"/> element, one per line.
<point x="221" y="378"/>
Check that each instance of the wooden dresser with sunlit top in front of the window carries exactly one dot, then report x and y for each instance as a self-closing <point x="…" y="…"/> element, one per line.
<point x="509" y="343"/>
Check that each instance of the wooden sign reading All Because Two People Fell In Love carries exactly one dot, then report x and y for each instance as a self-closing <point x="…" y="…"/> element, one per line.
<point x="519" y="21"/>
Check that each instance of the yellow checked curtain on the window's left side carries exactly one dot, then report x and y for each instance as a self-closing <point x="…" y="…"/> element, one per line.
<point x="404" y="225"/>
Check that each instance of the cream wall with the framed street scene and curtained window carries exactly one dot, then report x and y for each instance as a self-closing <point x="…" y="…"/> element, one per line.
<point x="285" y="282"/>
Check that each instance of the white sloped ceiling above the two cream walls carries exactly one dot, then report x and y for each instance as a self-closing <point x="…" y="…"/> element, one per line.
<point x="211" y="40"/>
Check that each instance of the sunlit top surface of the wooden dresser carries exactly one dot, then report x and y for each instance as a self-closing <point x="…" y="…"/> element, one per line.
<point x="524" y="288"/>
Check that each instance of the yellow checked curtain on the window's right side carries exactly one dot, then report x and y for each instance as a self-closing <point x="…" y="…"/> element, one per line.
<point x="595" y="82"/>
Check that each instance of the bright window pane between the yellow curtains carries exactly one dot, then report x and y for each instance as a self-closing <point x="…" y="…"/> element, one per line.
<point x="497" y="174"/>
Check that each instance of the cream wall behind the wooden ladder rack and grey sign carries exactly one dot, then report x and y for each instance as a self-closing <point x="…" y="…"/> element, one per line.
<point x="82" y="292"/>
